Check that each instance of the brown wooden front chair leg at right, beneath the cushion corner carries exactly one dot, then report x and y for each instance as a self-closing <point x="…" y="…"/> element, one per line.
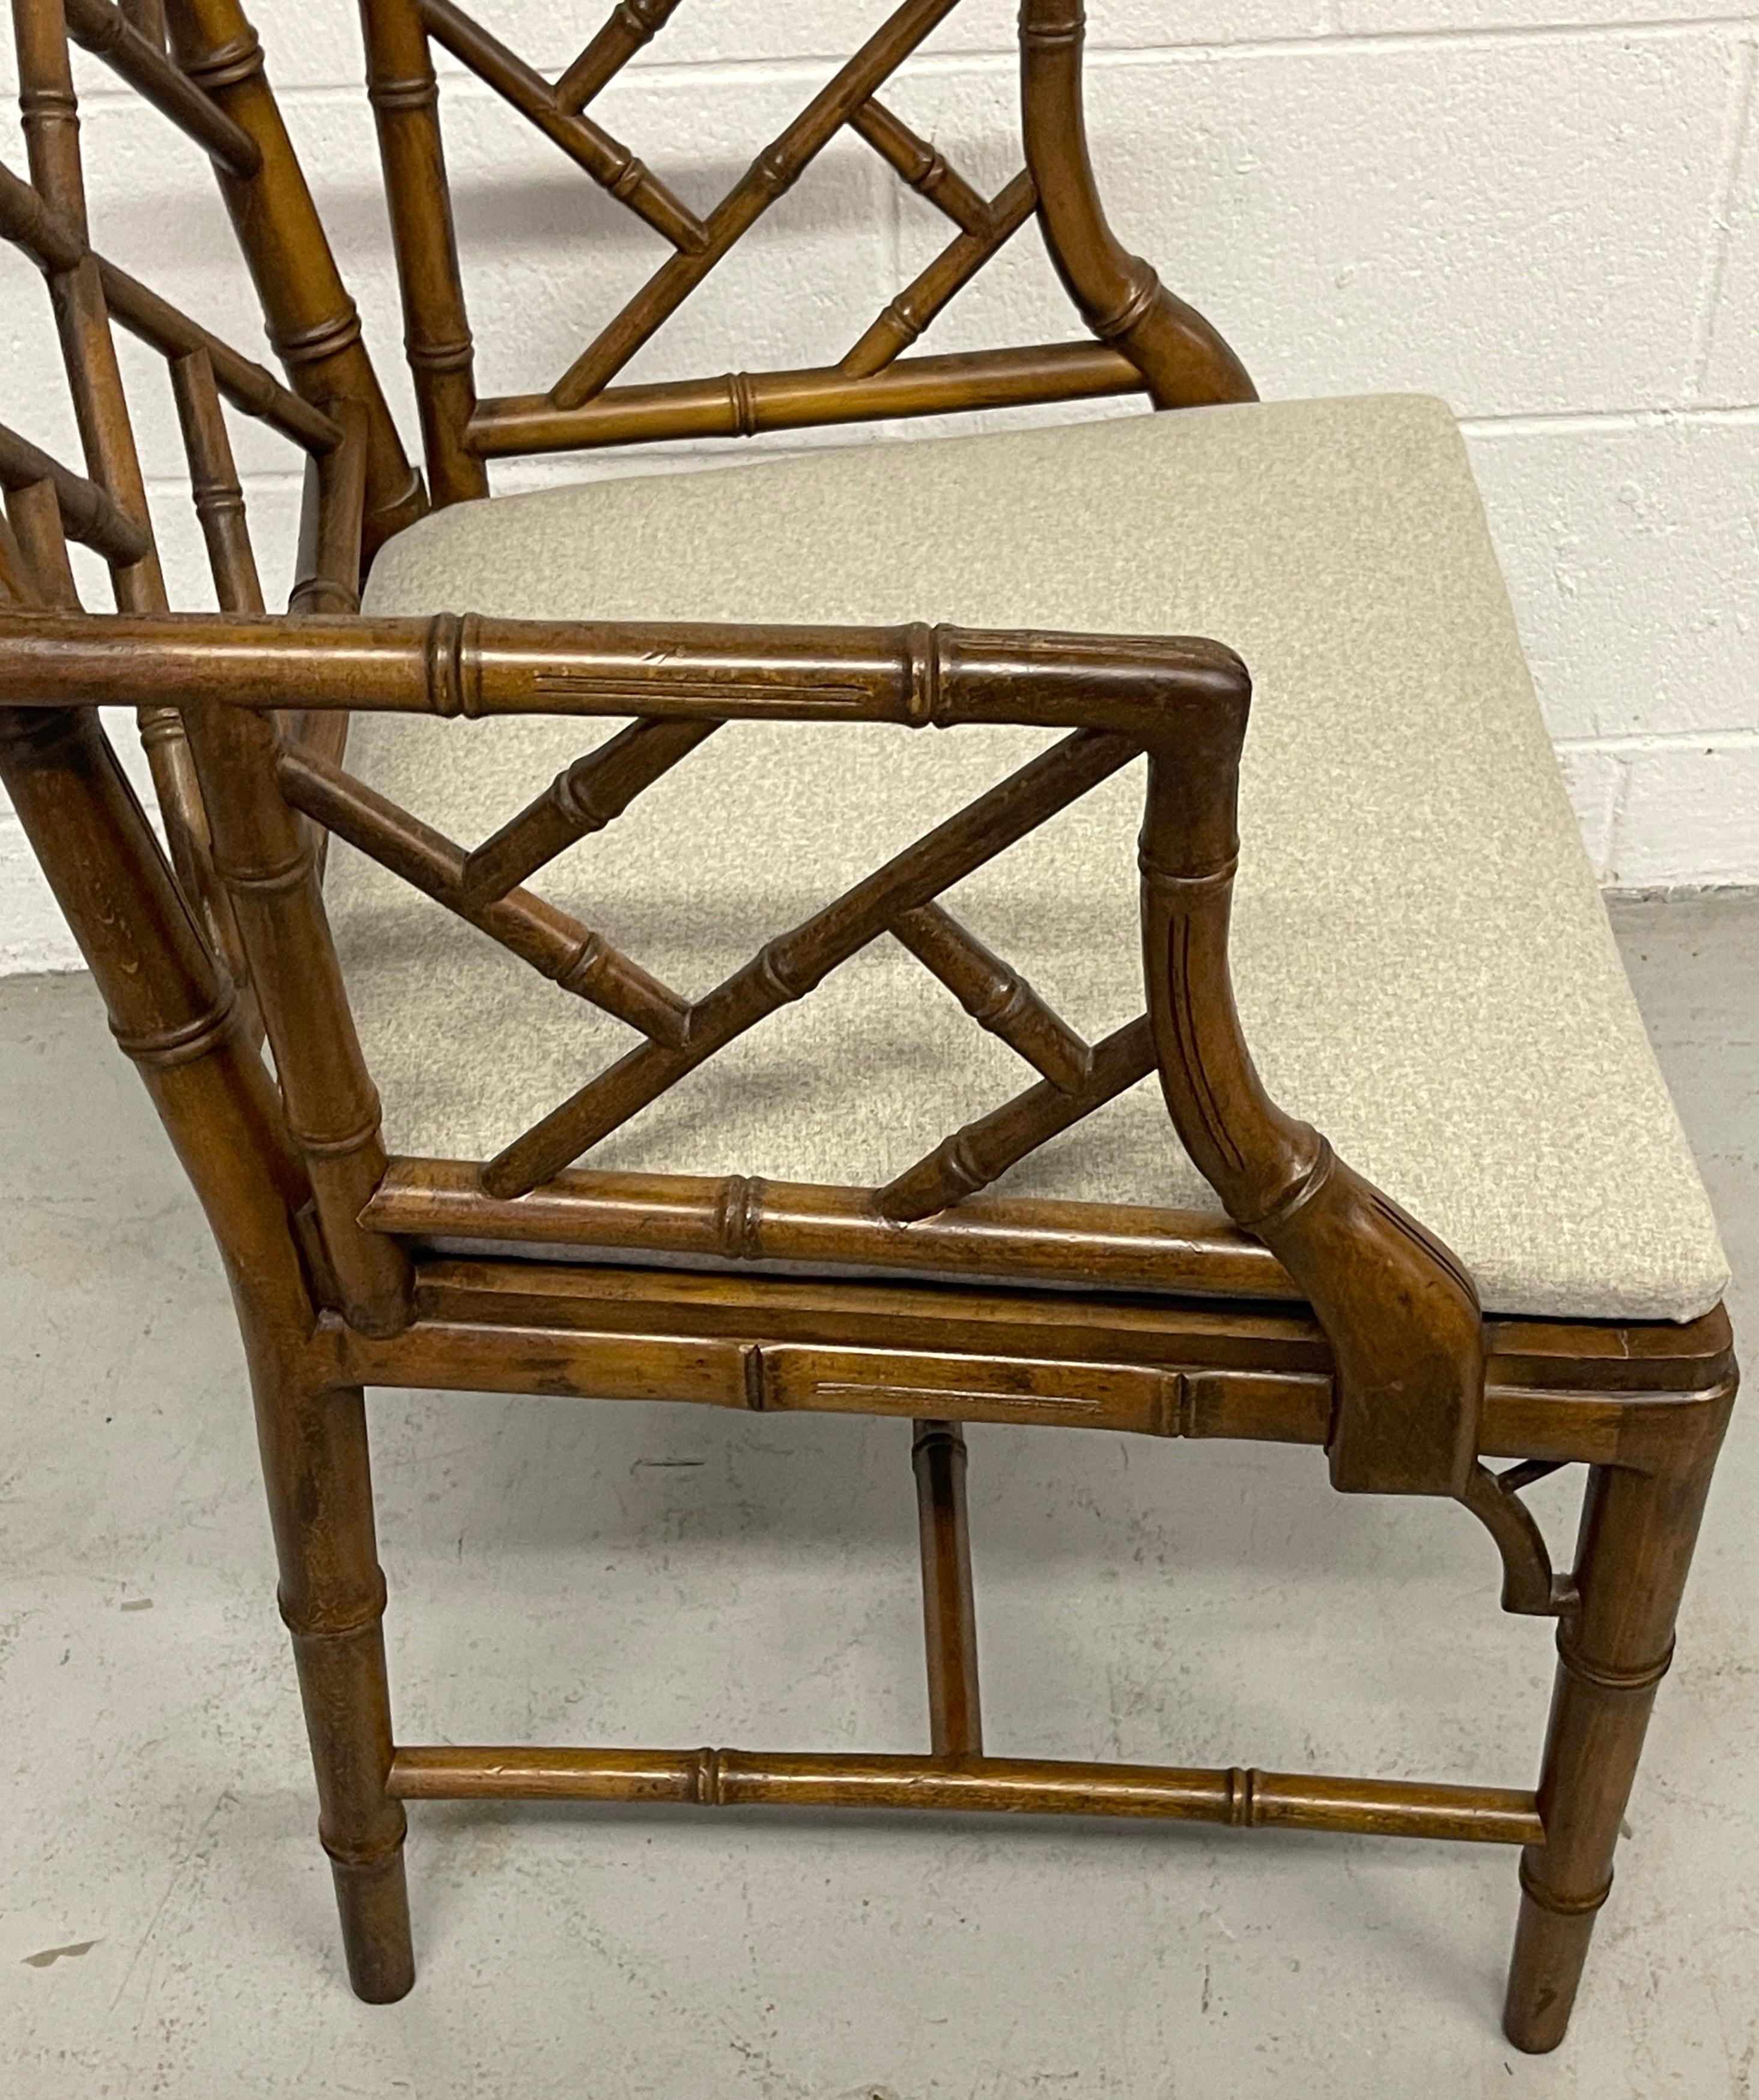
<point x="1636" y="1547"/>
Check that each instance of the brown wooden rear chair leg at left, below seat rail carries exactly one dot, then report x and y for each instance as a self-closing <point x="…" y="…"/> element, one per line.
<point x="333" y="1601"/>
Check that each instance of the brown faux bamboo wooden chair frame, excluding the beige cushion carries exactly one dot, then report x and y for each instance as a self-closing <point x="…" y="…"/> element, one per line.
<point x="1321" y="1316"/>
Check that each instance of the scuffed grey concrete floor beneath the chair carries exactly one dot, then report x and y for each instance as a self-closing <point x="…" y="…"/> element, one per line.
<point x="675" y="1576"/>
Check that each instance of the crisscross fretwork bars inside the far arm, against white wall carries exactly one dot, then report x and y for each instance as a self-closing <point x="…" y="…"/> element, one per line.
<point x="847" y="102"/>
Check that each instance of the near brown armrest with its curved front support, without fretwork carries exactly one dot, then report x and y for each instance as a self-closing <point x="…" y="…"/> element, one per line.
<point x="1401" y="1314"/>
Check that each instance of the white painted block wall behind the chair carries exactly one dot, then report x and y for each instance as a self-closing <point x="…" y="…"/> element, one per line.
<point x="1546" y="211"/>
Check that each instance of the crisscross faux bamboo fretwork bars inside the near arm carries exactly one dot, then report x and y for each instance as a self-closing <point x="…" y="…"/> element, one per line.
<point x="484" y="887"/>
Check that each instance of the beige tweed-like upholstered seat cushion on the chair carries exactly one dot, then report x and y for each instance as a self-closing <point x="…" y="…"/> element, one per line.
<point x="1422" y="959"/>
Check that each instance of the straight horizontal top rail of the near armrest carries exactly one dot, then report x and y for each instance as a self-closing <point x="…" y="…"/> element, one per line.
<point x="467" y="665"/>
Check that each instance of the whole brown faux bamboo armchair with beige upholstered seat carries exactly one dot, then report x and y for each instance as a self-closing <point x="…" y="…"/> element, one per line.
<point x="1307" y="1309"/>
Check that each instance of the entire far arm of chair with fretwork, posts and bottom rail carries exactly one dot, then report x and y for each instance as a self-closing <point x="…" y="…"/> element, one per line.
<point x="1147" y="341"/>
